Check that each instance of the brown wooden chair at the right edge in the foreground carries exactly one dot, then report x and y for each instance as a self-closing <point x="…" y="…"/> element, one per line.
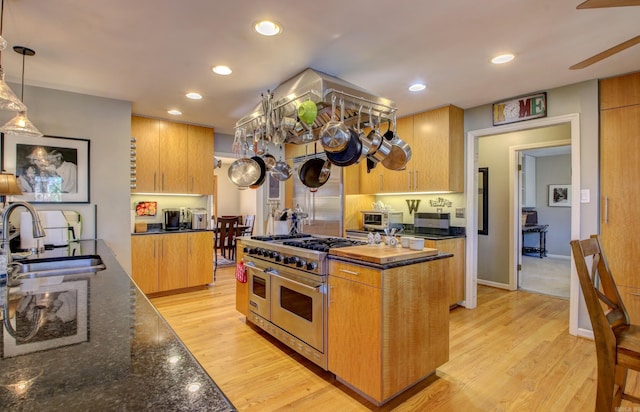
<point x="617" y="340"/>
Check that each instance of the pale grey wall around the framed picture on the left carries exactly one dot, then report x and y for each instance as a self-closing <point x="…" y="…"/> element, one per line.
<point x="107" y="124"/>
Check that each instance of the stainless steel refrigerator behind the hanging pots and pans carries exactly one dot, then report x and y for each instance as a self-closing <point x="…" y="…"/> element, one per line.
<point x="324" y="205"/>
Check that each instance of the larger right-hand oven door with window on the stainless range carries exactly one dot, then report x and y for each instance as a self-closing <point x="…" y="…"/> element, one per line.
<point x="297" y="306"/>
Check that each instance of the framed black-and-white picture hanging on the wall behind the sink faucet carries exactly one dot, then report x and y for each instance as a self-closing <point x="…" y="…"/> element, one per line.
<point x="49" y="169"/>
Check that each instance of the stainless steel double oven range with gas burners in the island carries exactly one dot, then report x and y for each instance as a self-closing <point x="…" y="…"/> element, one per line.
<point x="287" y="279"/>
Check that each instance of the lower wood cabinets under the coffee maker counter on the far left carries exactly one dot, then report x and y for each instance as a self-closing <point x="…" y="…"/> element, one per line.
<point x="166" y="262"/>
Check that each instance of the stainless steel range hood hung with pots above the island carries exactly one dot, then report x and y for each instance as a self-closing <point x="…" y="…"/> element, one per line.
<point x="320" y="88"/>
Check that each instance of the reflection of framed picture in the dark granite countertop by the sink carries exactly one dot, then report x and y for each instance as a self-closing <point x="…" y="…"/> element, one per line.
<point x="64" y="317"/>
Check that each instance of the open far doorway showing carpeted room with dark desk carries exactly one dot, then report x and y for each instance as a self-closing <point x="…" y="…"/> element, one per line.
<point x="544" y="264"/>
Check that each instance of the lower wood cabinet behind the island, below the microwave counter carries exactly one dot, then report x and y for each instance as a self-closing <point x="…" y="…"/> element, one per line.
<point x="454" y="267"/>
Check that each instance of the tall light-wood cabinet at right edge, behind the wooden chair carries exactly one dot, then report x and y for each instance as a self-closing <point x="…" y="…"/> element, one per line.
<point x="620" y="172"/>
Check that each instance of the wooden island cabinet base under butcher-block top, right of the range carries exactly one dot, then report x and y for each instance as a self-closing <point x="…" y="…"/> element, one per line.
<point x="387" y="329"/>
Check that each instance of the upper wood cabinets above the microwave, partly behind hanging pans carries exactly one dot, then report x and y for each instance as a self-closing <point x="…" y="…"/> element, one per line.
<point x="436" y="139"/>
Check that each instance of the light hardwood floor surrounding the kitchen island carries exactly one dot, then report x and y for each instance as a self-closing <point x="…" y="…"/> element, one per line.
<point x="512" y="353"/>
